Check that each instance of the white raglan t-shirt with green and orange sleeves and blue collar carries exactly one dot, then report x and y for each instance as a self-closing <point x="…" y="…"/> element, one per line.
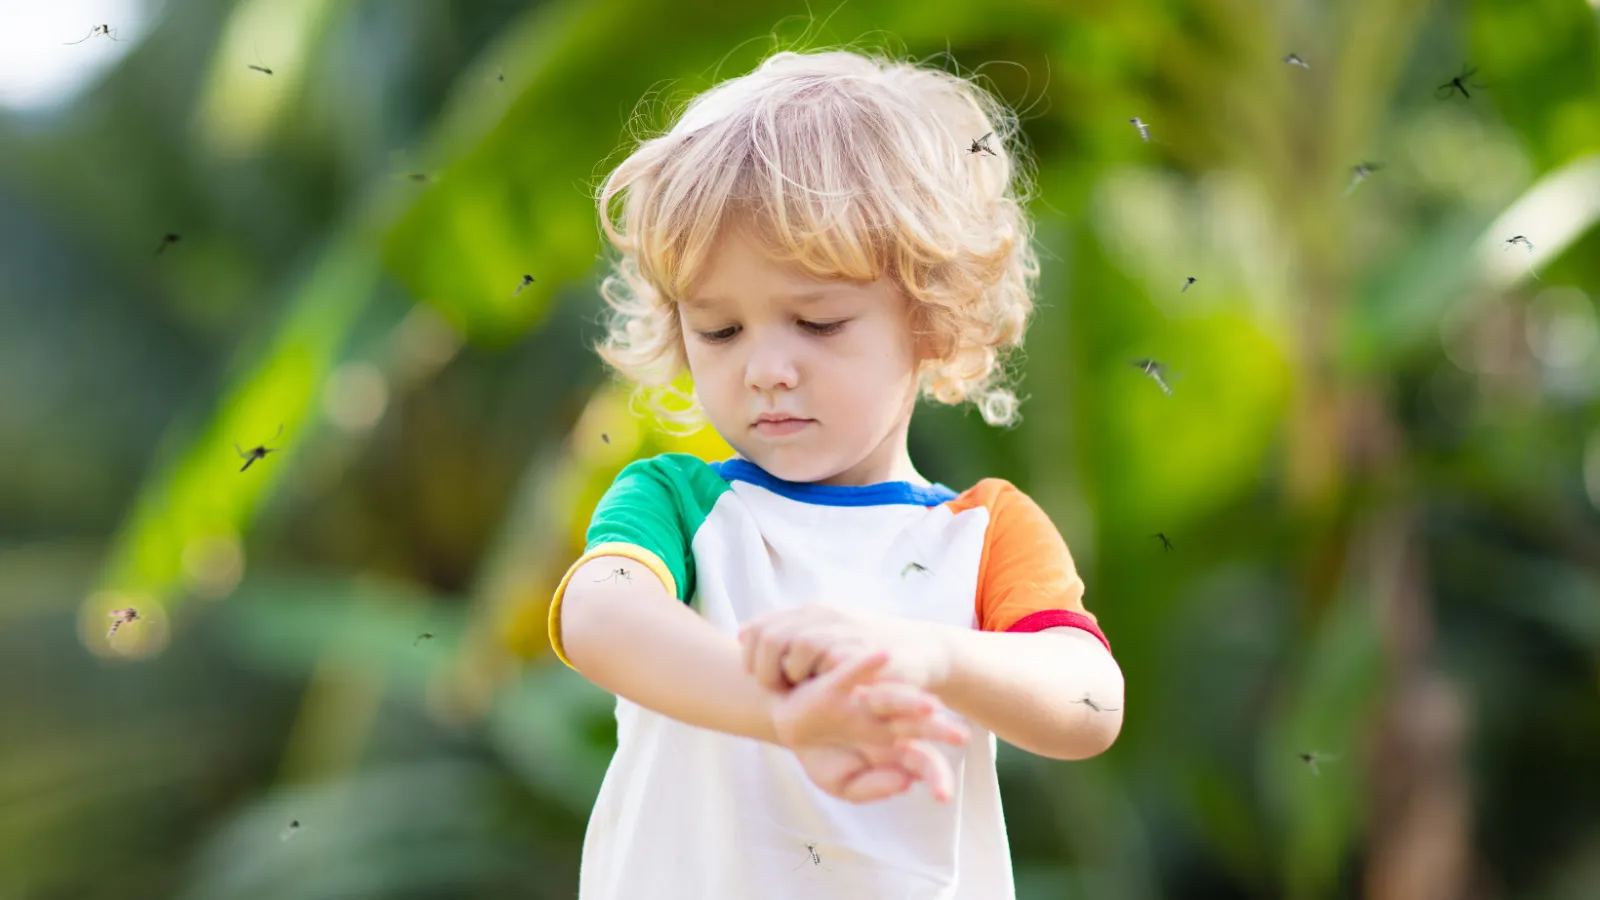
<point x="695" y="814"/>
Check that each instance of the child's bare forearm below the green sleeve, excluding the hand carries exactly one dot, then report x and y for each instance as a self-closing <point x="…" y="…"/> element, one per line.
<point x="638" y="641"/>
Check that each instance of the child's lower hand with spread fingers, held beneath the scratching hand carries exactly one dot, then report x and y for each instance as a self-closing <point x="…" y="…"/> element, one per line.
<point x="842" y="709"/>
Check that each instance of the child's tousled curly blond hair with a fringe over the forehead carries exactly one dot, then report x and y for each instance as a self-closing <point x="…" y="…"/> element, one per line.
<point x="852" y="167"/>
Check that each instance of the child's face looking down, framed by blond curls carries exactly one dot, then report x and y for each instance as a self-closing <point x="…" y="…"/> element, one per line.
<point x="764" y="339"/>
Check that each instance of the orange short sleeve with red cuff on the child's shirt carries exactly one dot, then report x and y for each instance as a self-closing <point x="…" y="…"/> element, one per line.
<point x="1026" y="577"/>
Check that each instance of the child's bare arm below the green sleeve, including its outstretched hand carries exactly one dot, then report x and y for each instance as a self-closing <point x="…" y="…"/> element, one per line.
<point x="633" y="638"/>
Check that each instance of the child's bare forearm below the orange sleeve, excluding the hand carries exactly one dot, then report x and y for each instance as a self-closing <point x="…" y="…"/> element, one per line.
<point x="1030" y="689"/>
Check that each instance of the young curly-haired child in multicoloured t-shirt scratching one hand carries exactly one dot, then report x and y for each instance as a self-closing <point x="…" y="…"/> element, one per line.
<point x="802" y="633"/>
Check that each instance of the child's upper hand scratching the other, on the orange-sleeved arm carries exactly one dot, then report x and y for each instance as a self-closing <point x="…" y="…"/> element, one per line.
<point x="786" y="648"/>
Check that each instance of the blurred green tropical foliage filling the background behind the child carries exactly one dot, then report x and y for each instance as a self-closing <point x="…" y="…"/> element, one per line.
<point x="1380" y="470"/>
